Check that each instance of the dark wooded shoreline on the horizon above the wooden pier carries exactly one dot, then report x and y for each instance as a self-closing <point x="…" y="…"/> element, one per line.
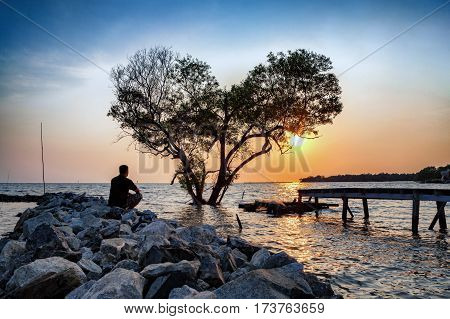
<point x="428" y="174"/>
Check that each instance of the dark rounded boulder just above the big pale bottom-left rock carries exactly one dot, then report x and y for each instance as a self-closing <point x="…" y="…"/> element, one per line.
<point x="46" y="241"/>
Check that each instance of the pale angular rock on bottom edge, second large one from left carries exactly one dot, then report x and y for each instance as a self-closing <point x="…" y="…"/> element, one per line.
<point x="118" y="284"/>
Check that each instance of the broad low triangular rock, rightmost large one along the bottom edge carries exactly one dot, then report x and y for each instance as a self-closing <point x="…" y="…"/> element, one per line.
<point x="261" y="284"/>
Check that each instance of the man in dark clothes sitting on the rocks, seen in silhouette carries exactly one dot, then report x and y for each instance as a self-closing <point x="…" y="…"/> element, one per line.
<point x="118" y="193"/>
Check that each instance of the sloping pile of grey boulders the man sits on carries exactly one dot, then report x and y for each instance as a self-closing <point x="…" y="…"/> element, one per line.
<point x="75" y="246"/>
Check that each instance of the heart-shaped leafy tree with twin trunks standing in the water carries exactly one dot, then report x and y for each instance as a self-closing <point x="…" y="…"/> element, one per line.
<point x="173" y="106"/>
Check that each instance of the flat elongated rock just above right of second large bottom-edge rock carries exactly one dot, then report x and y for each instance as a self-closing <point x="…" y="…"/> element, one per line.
<point x="187" y="269"/>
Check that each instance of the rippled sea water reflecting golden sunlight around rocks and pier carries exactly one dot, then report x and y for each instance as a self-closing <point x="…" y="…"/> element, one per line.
<point x="377" y="260"/>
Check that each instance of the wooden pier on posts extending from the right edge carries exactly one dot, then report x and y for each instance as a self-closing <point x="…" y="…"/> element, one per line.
<point x="440" y="196"/>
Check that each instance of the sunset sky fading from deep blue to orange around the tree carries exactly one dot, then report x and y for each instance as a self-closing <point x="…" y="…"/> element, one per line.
<point x="396" y="103"/>
